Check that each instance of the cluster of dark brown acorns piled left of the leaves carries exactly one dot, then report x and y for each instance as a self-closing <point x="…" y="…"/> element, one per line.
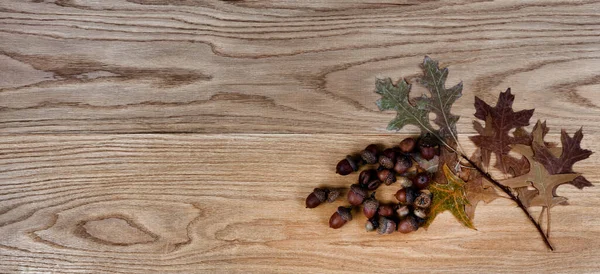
<point x="399" y="164"/>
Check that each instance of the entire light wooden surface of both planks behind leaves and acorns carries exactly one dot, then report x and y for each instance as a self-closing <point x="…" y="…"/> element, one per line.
<point x="183" y="136"/>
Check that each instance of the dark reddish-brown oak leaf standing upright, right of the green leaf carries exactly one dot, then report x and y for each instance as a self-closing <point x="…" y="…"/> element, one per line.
<point x="495" y="137"/>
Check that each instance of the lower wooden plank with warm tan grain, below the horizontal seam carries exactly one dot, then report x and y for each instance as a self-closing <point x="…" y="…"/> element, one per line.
<point x="183" y="203"/>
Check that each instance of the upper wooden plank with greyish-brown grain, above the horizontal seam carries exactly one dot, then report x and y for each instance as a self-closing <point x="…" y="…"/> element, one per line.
<point x="216" y="67"/>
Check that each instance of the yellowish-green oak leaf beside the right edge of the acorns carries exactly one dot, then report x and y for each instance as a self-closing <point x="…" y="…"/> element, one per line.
<point x="449" y="197"/>
